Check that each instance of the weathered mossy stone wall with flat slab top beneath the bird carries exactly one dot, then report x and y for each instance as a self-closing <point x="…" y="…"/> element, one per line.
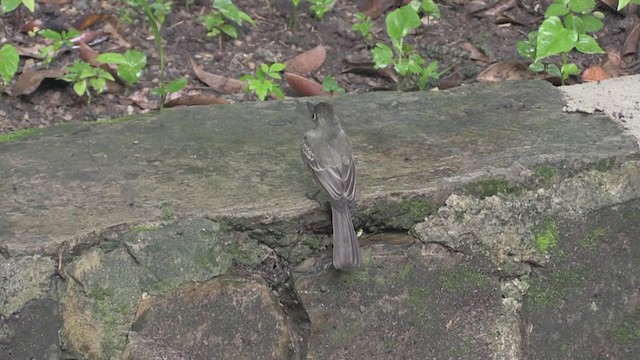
<point x="187" y="234"/>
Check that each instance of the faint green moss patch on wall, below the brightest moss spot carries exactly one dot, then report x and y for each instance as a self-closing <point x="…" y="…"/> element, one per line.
<point x="549" y="291"/>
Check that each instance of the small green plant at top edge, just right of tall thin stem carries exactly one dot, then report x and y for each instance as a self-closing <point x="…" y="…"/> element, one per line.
<point x="224" y="18"/>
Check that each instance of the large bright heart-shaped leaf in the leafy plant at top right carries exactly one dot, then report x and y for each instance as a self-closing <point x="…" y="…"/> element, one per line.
<point x="554" y="39"/>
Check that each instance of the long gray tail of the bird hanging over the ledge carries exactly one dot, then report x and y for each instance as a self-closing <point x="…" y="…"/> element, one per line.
<point x="346" y="251"/>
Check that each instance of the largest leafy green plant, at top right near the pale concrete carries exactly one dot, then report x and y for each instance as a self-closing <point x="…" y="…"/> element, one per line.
<point x="557" y="38"/>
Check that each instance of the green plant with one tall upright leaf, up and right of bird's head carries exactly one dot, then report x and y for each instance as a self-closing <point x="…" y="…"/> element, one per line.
<point x="400" y="23"/>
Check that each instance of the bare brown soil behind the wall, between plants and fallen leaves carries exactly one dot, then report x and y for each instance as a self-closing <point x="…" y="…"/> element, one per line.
<point x="463" y="27"/>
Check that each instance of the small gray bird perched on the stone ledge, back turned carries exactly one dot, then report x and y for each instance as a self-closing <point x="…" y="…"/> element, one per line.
<point x="327" y="152"/>
